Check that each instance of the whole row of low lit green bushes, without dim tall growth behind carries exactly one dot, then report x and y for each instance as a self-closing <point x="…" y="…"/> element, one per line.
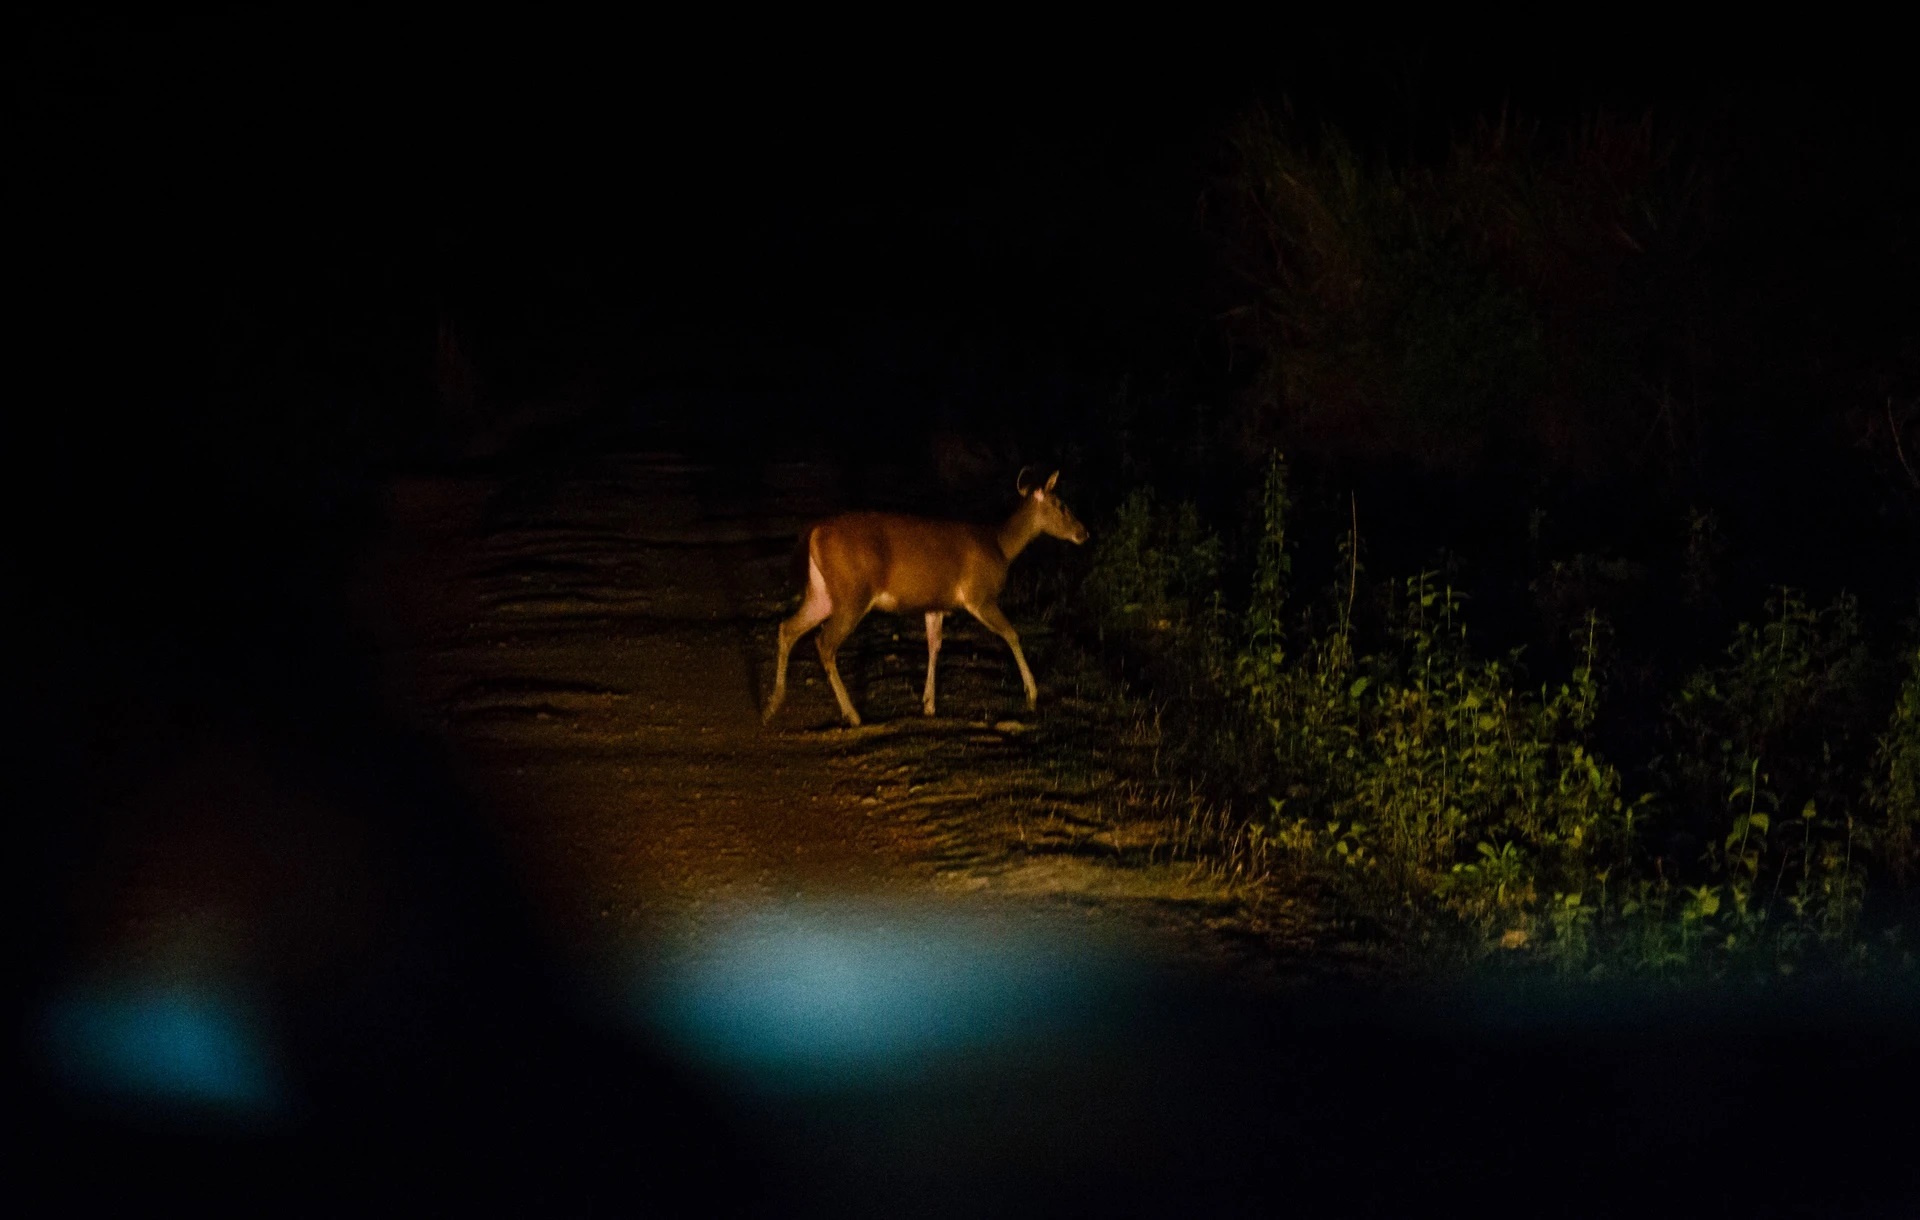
<point x="1441" y="793"/>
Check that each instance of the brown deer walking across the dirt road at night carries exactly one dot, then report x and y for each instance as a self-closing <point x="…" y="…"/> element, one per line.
<point x="913" y="566"/>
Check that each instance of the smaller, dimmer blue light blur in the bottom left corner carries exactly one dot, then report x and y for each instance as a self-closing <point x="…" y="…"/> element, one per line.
<point x="168" y="1048"/>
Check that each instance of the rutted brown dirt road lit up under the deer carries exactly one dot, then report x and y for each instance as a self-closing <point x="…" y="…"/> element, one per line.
<point x="594" y="645"/>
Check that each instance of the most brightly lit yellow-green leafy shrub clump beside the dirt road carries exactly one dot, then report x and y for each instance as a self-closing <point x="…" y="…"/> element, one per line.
<point x="1426" y="775"/>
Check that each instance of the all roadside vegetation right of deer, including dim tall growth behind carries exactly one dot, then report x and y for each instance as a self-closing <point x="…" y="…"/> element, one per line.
<point x="1593" y="729"/>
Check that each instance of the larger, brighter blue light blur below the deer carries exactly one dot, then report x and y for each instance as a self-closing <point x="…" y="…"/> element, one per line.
<point x="855" y="996"/>
